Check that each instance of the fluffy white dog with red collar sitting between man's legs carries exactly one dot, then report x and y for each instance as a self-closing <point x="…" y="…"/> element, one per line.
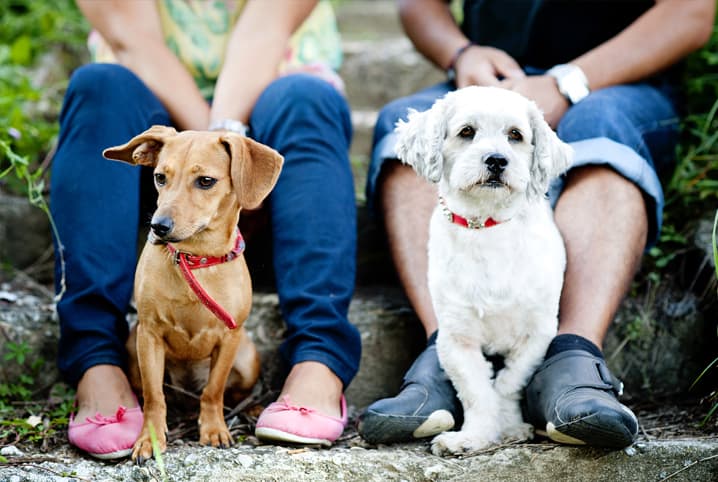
<point x="496" y="258"/>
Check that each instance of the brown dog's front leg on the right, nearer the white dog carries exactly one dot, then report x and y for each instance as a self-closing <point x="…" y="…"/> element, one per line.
<point x="212" y="428"/>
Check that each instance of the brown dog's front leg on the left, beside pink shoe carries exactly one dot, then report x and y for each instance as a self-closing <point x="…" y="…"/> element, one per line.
<point x="151" y="361"/>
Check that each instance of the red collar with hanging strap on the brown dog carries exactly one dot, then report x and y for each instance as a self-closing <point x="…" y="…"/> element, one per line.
<point x="188" y="262"/>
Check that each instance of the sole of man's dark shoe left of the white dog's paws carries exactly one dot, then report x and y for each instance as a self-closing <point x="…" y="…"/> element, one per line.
<point x="378" y="428"/>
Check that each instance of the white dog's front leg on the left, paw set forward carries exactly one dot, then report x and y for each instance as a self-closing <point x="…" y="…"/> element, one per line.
<point x="471" y="375"/>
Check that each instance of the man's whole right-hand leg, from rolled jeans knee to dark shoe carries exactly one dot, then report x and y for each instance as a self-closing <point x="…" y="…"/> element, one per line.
<point x="608" y="211"/>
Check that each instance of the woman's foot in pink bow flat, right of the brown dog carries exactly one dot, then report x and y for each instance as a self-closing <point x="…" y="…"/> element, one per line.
<point x="311" y="408"/>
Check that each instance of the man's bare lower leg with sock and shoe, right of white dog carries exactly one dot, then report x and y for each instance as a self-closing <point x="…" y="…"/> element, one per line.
<point x="602" y="218"/>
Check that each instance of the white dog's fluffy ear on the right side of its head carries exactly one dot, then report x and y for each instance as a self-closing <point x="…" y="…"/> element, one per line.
<point x="551" y="155"/>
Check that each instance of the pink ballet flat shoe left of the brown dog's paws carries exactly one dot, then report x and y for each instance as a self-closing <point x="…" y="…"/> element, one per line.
<point x="107" y="437"/>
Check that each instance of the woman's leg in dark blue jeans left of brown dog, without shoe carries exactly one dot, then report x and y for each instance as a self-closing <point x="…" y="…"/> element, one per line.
<point x="95" y="203"/>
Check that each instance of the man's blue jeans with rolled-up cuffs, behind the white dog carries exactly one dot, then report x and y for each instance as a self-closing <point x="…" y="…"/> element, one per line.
<point x="632" y="129"/>
